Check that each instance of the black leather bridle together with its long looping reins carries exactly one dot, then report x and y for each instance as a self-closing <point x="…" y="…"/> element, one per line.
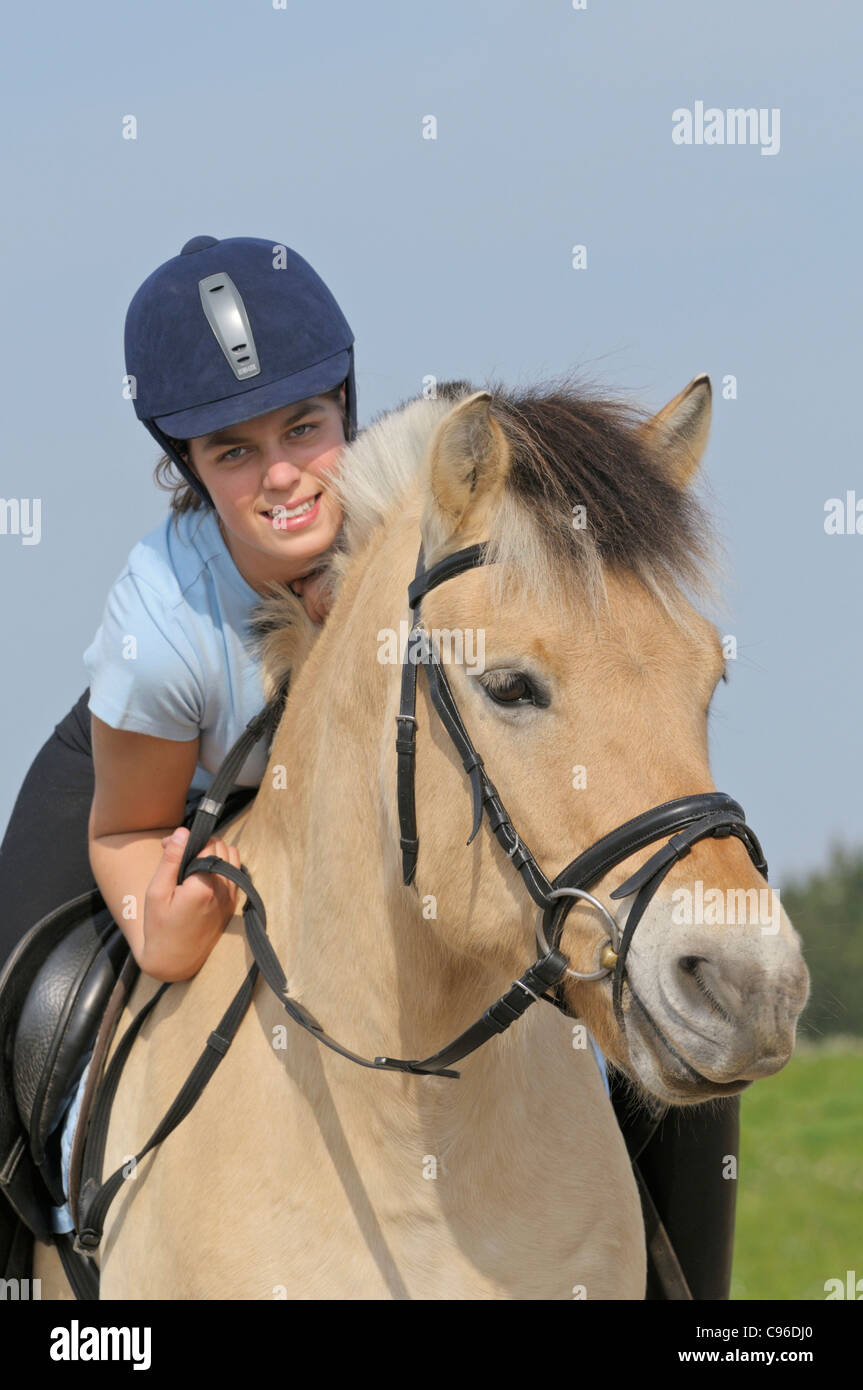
<point x="684" y="821"/>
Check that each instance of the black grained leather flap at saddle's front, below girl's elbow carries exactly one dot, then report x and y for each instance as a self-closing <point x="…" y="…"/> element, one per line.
<point x="60" y="1018"/>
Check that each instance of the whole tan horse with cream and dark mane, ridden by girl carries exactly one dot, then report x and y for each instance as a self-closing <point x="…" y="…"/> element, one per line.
<point x="299" y="1175"/>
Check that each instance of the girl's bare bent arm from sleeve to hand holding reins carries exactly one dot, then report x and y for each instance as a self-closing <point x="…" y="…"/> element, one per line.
<point x="141" y="794"/>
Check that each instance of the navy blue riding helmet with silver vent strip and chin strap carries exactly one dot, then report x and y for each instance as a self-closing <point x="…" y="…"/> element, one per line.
<point x="230" y="330"/>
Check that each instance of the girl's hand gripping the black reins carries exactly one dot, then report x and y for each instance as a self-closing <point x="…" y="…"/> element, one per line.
<point x="183" y="922"/>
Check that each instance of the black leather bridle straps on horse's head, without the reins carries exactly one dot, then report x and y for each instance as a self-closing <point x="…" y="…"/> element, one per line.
<point x="684" y="821"/>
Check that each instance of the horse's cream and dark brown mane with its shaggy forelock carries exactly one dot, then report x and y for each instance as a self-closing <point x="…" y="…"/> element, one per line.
<point x="572" y="447"/>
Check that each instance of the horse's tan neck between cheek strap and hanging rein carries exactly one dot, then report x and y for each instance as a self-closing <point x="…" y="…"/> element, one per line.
<point x="323" y="844"/>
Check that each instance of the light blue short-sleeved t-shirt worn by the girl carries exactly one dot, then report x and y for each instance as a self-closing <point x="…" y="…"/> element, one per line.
<point x="173" y="657"/>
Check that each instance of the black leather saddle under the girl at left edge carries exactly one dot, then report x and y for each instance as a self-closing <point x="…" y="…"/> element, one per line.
<point x="54" y="993"/>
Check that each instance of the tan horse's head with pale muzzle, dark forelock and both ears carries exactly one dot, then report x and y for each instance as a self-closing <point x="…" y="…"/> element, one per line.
<point x="584" y="673"/>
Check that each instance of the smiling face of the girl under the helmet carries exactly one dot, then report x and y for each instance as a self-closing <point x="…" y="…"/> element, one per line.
<point x="268" y="479"/>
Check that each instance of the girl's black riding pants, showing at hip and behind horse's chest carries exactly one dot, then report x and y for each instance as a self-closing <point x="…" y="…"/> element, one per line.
<point x="45" y="862"/>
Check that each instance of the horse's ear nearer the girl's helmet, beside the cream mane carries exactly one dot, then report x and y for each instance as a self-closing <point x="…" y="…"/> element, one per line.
<point x="469" y="465"/>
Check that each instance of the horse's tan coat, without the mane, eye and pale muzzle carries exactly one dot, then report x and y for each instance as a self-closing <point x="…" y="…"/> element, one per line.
<point x="301" y="1175"/>
